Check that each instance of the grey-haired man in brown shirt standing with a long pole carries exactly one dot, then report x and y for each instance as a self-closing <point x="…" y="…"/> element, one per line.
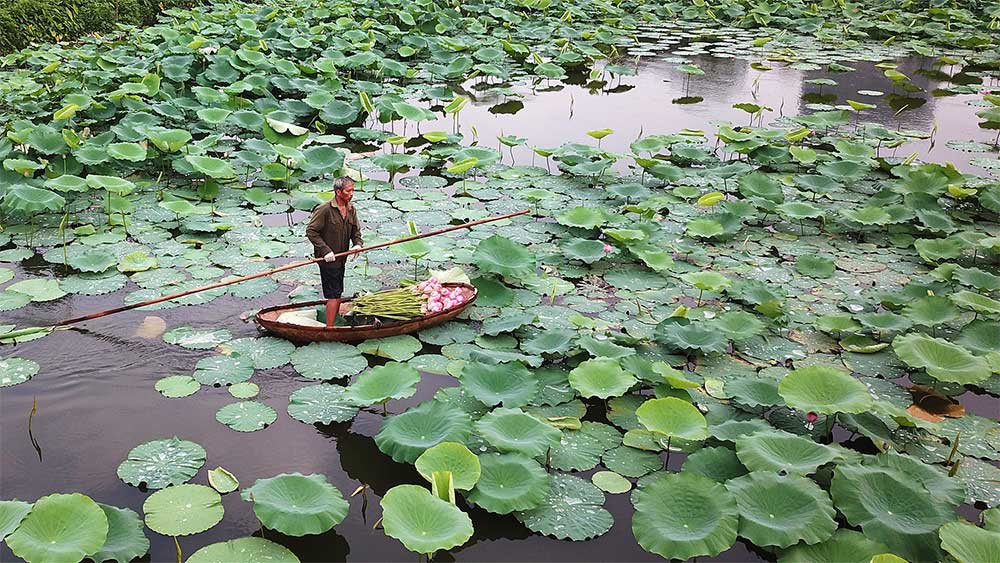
<point x="333" y="227"/>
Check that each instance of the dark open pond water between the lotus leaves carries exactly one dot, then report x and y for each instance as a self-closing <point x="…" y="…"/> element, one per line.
<point x="95" y="394"/>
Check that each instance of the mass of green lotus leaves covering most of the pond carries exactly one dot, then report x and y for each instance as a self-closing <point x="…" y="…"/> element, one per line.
<point x="734" y="295"/>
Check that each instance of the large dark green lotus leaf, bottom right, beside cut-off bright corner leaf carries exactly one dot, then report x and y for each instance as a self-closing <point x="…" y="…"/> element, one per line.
<point x="890" y="508"/>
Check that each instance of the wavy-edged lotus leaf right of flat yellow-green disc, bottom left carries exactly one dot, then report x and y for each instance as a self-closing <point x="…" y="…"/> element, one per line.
<point x="296" y="504"/>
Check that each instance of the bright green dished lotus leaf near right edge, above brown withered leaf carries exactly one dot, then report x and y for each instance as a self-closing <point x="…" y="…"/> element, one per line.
<point x="942" y="359"/>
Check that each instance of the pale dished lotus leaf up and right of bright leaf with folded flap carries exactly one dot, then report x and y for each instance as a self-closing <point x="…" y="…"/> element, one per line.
<point x="513" y="430"/>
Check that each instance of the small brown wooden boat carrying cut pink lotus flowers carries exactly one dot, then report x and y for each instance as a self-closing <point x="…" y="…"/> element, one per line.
<point x="268" y="319"/>
